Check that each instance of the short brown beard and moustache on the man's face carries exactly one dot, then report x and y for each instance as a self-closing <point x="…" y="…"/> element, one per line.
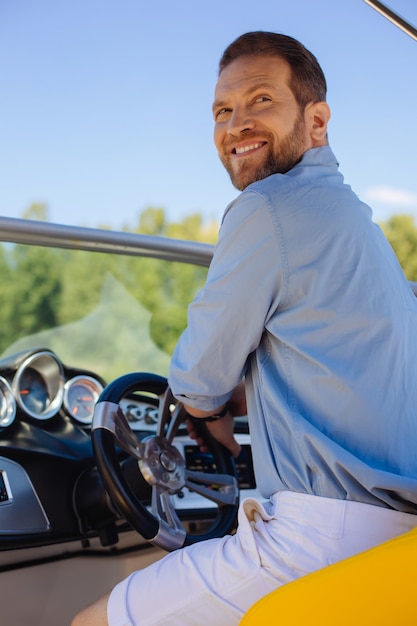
<point x="279" y="161"/>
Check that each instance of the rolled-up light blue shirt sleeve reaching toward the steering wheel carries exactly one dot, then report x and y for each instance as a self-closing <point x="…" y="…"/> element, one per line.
<point x="227" y="318"/>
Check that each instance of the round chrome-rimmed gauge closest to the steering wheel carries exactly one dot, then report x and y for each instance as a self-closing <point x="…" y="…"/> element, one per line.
<point x="80" y="396"/>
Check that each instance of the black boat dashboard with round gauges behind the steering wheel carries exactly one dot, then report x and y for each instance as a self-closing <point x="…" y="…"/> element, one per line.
<point x="51" y="494"/>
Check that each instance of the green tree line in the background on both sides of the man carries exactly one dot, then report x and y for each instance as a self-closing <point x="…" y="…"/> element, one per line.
<point x="43" y="288"/>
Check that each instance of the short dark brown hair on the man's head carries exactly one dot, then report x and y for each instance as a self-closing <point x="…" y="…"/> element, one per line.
<point x="307" y="82"/>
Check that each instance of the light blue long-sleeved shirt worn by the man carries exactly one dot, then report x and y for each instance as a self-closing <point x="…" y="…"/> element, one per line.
<point x="305" y="297"/>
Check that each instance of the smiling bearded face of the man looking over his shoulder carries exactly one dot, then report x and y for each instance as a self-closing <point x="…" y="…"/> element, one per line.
<point x="259" y="128"/>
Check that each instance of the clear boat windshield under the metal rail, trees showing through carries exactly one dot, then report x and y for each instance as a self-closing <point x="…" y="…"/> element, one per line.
<point x="108" y="313"/>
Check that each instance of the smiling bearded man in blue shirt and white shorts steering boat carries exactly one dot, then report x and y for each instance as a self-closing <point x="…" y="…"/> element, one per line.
<point x="306" y="317"/>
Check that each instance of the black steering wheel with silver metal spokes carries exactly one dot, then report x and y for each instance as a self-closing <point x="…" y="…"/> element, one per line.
<point x="161" y="464"/>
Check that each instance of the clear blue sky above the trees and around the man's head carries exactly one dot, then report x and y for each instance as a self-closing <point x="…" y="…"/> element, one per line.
<point x="106" y="104"/>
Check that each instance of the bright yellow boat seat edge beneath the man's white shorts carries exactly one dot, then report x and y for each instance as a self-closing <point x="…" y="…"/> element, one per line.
<point x="373" y="588"/>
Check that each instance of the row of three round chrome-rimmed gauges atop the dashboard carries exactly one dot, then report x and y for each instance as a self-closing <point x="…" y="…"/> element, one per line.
<point x="37" y="385"/>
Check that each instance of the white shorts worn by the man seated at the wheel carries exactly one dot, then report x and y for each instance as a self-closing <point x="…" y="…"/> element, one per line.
<point x="214" y="582"/>
